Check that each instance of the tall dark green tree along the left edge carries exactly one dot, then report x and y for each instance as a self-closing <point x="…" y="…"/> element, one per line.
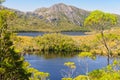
<point x="11" y="63"/>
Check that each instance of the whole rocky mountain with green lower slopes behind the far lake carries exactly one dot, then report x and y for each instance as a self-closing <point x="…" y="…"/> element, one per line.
<point x="59" y="17"/>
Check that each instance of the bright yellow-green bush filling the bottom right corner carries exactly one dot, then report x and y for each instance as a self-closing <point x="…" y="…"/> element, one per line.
<point x="107" y="73"/>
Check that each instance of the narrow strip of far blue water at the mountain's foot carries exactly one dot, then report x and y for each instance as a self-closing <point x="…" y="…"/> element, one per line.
<point x="42" y="33"/>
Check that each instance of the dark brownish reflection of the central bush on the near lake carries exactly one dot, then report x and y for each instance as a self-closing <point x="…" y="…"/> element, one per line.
<point x="50" y="55"/>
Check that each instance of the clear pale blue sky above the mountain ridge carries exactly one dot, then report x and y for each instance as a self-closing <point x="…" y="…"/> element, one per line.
<point x="111" y="6"/>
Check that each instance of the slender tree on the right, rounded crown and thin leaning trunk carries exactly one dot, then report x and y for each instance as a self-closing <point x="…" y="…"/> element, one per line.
<point x="100" y="21"/>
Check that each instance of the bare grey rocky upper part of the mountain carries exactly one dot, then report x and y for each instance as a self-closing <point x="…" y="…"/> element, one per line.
<point x="61" y="12"/>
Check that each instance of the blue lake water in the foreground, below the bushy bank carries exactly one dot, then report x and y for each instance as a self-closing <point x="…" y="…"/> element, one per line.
<point x="54" y="64"/>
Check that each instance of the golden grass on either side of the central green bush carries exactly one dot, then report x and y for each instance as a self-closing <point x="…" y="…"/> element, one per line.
<point x="87" y="42"/>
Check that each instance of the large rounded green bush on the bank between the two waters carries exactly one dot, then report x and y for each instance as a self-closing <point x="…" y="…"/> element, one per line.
<point x="56" y="42"/>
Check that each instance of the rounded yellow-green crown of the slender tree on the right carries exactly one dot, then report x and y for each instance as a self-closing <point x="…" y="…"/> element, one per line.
<point x="99" y="20"/>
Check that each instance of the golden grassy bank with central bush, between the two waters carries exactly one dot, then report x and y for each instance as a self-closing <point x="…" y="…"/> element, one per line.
<point x="53" y="42"/>
